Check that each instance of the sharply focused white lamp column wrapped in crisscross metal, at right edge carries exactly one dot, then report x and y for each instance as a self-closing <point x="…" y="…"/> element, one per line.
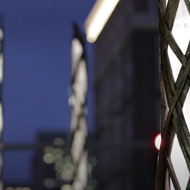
<point x="174" y="156"/>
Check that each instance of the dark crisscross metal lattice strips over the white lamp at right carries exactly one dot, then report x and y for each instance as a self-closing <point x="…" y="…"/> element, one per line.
<point x="173" y="95"/>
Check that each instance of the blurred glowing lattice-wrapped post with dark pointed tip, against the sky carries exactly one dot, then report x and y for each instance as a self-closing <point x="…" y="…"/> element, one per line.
<point x="78" y="101"/>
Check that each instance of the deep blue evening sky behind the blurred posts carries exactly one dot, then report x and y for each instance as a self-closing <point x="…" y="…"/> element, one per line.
<point x="37" y="72"/>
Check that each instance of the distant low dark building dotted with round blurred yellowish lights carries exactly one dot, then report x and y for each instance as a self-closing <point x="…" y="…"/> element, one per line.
<point x="52" y="165"/>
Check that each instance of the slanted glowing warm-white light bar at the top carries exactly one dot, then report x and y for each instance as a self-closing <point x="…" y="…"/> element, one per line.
<point x="98" y="17"/>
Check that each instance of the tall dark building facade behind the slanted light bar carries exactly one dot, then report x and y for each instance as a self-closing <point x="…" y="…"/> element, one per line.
<point x="127" y="96"/>
